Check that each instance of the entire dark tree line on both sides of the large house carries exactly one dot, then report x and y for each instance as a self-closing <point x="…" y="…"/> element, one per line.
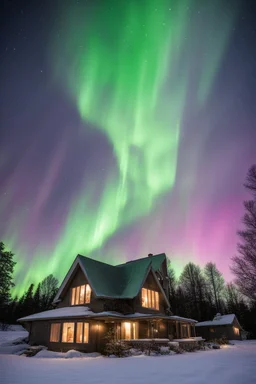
<point x="198" y="293"/>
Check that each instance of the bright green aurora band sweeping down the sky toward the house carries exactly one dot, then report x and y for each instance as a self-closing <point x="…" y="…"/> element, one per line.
<point x="126" y="66"/>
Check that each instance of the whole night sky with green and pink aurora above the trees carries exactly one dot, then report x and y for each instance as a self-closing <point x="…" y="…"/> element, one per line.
<point x="127" y="128"/>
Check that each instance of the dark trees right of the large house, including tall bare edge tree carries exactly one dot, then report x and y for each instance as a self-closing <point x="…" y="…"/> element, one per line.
<point x="201" y="293"/>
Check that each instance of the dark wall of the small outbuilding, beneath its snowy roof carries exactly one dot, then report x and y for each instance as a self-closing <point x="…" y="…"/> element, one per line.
<point x="217" y="332"/>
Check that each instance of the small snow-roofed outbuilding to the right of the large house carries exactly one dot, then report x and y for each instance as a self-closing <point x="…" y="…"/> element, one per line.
<point x="221" y="326"/>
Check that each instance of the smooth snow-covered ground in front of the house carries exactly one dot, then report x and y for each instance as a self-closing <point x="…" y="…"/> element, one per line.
<point x="235" y="364"/>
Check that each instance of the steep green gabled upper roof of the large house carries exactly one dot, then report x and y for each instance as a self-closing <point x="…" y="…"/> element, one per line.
<point x="122" y="281"/>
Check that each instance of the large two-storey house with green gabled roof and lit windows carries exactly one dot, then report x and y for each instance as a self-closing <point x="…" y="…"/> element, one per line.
<point x="94" y="297"/>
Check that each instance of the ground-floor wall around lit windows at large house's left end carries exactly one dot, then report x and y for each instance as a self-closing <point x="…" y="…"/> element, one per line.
<point x="40" y="335"/>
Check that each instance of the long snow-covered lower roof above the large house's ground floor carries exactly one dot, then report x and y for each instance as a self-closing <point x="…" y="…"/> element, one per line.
<point x="81" y="311"/>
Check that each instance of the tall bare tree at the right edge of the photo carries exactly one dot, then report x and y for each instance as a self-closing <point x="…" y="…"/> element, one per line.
<point x="244" y="263"/>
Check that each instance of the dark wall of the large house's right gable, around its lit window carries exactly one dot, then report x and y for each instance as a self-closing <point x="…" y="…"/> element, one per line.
<point x="150" y="283"/>
